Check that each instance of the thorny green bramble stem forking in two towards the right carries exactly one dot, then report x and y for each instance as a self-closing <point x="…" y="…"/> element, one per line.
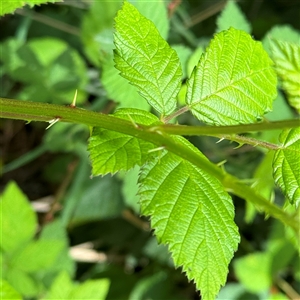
<point x="158" y="135"/>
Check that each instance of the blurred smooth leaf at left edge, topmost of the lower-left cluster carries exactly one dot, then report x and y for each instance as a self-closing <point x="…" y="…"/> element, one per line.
<point x="18" y="224"/>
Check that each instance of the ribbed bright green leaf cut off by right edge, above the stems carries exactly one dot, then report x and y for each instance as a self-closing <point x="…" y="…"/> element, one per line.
<point x="287" y="63"/>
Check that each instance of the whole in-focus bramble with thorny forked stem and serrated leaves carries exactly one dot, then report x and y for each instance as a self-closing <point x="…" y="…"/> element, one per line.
<point x="186" y="196"/>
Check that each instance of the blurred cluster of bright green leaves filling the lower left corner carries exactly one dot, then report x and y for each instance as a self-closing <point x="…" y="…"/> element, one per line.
<point x="29" y="265"/>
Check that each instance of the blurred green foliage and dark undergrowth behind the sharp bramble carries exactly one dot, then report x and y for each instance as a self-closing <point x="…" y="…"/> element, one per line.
<point x="96" y="234"/>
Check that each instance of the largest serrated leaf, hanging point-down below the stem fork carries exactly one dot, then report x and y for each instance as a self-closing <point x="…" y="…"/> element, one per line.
<point x="191" y="212"/>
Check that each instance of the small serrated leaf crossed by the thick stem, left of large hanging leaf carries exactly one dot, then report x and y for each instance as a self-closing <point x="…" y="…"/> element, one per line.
<point x="111" y="151"/>
